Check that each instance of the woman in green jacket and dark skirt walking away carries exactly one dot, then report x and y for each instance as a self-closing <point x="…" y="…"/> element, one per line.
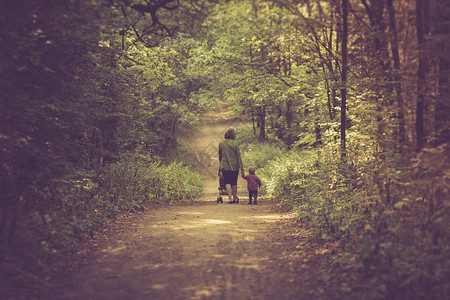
<point x="230" y="164"/>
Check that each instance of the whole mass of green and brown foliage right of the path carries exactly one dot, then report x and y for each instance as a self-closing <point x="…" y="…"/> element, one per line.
<point x="283" y="66"/>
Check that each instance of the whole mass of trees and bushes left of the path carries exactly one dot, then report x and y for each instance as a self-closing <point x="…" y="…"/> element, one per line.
<point x="79" y="93"/>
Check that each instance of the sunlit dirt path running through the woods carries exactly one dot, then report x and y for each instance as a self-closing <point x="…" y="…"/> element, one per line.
<point x="202" y="250"/>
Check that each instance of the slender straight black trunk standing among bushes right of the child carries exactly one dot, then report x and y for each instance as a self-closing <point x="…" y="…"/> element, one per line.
<point x="344" y="79"/>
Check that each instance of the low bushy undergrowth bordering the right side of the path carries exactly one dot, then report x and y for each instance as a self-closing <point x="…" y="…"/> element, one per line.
<point x="390" y="213"/>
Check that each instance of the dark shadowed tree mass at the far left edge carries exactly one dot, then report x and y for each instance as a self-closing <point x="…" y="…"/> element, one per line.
<point x="43" y="75"/>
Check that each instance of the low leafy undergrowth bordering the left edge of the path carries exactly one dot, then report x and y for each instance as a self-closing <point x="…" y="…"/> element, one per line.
<point x="86" y="201"/>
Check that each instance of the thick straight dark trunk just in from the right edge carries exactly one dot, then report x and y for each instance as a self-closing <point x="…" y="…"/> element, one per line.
<point x="421" y="73"/>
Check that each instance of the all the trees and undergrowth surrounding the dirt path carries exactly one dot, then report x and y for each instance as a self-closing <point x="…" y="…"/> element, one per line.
<point x="349" y="108"/>
